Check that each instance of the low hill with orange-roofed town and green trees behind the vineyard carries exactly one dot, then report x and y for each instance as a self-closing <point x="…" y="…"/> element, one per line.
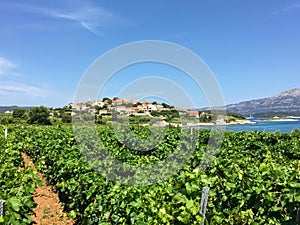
<point x="144" y="113"/>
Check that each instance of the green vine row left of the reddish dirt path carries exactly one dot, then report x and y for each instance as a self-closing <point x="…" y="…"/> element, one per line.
<point x="17" y="185"/>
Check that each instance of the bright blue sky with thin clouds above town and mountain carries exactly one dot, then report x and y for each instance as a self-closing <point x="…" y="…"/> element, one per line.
<point x="252" y="47"/>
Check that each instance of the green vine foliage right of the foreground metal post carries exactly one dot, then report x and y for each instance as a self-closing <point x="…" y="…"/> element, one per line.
<point x="261" y="187"/>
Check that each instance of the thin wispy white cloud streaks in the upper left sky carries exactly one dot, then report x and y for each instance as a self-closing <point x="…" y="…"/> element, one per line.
<point x="83" y="13"/>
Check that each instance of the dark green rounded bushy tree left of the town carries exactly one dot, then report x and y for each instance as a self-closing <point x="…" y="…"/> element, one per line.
<point x="39" y="115"/>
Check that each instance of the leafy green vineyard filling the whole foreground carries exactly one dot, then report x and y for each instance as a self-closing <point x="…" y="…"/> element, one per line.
<point x="254" y="179"/>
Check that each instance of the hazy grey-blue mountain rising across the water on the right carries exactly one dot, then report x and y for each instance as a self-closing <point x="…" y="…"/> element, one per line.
<point x="287" y="101"/>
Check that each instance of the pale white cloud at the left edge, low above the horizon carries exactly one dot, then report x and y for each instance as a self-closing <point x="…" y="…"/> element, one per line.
<point x="12" y="82"/>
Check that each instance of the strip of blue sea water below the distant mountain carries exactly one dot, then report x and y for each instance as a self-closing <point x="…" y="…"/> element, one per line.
<point x="283" y="127"/>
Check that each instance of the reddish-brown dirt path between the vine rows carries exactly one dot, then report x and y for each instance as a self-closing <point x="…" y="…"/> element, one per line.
<point x="48" y="211"/>
